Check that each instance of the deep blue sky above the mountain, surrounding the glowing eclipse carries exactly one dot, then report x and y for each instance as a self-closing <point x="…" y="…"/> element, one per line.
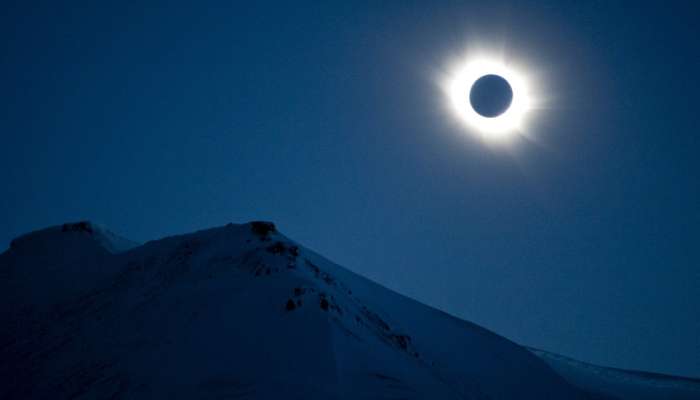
<point x="326" y="119"/>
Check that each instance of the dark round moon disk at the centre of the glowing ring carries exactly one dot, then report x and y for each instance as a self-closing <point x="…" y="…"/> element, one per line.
<point x="490" y="96"/>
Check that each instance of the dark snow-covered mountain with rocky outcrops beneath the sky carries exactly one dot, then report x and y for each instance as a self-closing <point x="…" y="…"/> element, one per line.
<point x="242" y="312"/>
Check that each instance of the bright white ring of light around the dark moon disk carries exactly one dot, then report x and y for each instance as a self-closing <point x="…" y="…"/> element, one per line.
<point x="458" y="84"/>
